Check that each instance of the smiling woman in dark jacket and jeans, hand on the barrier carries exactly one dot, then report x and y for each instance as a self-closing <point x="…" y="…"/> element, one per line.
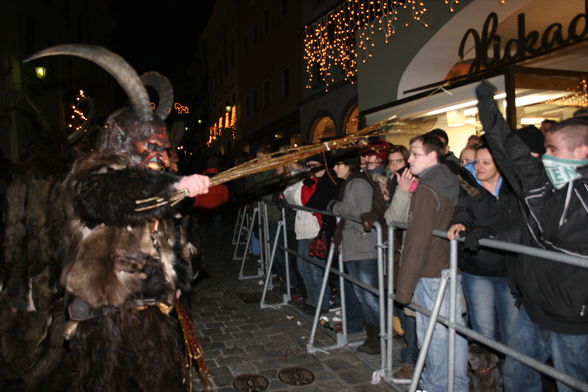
<point x="487" y="208"/>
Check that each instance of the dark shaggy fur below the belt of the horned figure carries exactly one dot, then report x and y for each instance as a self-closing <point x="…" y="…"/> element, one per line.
<point x="128" y="347"/>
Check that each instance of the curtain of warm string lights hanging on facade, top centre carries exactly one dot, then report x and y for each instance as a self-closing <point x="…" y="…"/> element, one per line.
<point x="333" y="42"/>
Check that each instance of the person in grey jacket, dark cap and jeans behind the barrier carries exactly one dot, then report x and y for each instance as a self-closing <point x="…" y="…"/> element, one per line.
<point x="358" y="247"/>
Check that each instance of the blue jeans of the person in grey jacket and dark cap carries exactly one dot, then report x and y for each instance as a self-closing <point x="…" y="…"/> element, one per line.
<point x="366" y="271"/>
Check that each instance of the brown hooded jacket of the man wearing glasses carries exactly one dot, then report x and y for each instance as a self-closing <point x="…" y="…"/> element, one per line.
<point x="431" y="207"/>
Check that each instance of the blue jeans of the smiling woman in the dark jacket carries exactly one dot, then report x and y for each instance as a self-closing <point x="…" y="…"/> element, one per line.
<point x="489" y="298"/>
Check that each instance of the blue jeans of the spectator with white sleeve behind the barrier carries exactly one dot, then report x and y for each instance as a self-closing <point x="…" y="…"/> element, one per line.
<point x="312" y="276"/>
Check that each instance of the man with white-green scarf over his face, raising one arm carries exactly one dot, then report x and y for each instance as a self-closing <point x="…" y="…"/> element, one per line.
<point x="552" y="322"/>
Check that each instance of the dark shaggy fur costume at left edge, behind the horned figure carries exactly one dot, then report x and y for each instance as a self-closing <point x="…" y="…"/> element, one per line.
<point x="28" y="308"/>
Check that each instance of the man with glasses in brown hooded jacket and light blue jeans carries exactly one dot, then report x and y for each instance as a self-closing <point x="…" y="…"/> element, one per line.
<point x="425" y="256"/>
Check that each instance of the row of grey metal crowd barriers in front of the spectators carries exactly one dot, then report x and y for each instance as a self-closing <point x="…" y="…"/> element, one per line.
<point x="386" y="295"/>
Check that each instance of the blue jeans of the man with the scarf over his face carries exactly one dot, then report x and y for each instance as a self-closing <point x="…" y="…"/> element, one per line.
<point x="569" y="354"/>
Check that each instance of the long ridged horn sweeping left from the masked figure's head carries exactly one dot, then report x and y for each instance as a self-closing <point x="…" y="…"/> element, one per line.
<point x="112" y="63"/>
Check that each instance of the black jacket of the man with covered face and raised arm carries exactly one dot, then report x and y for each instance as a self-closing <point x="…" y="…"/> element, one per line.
<point x="555" y="295"/>
